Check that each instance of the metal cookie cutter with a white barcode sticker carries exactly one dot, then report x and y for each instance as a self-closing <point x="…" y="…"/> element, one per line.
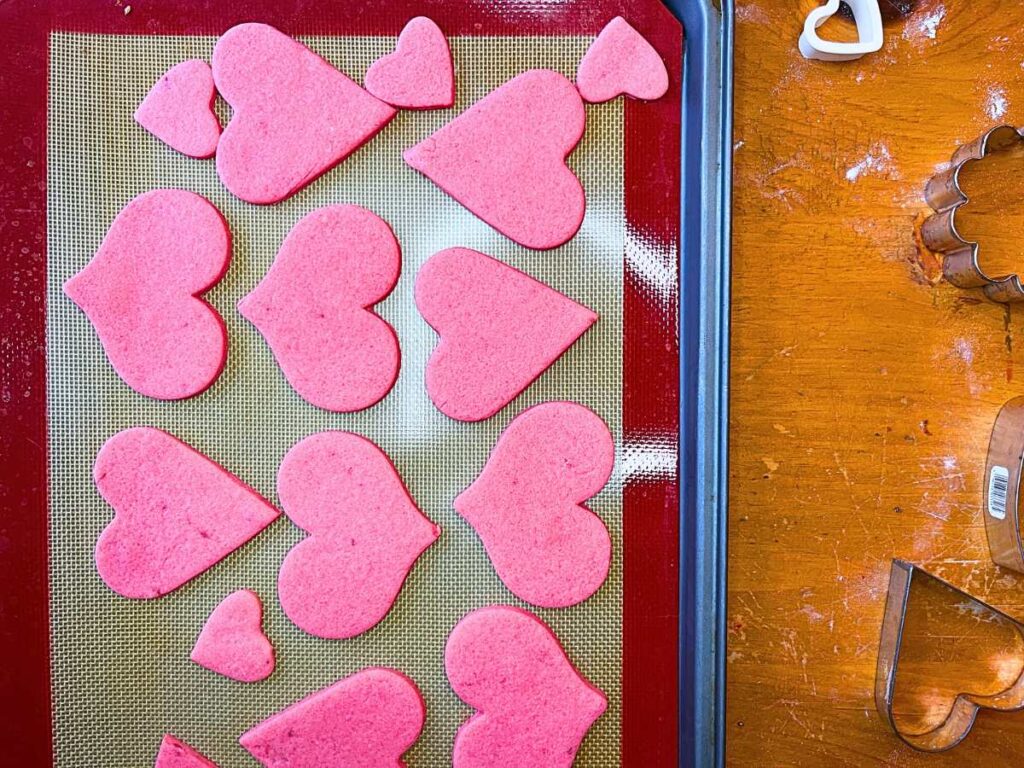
<point x="1003" y="481"/>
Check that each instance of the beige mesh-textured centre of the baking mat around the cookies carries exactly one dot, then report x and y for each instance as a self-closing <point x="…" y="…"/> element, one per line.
<point x="121" y="674"/>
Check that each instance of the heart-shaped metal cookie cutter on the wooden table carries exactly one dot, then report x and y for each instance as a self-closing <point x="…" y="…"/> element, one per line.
<point x="906" y="580"/>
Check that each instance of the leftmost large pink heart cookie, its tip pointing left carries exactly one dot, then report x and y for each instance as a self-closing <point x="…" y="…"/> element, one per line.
<point x="142" y="293"/>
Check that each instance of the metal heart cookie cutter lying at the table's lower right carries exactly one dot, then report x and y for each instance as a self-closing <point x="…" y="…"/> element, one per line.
<point x="961" y="719"/>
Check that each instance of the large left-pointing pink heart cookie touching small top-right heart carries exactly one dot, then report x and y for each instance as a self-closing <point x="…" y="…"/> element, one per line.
<point x="504" y="159"/>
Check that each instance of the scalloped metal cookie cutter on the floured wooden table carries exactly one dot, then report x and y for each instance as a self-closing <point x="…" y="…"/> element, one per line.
<point x="945" y="195"/>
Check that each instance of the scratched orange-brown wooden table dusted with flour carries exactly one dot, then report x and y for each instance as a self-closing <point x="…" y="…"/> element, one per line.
<point x="864" y="388"/>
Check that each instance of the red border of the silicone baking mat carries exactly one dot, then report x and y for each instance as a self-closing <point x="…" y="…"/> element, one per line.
<point x="651" y="349"/>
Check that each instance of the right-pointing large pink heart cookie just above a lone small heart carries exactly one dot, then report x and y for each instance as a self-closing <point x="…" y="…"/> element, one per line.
<point x="177" y="514"/>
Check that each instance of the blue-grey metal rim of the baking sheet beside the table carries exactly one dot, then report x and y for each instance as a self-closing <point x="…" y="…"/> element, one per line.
<point x="704" y="324"/>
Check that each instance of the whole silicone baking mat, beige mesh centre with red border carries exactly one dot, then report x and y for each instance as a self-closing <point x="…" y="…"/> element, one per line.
<point x="95" y="679"/>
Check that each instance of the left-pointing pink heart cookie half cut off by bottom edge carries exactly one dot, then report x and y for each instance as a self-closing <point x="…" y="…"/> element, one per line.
<point x="368" y="720"/>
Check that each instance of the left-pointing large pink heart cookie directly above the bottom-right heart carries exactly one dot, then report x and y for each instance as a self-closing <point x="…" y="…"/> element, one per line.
<point x="527" y="506"/>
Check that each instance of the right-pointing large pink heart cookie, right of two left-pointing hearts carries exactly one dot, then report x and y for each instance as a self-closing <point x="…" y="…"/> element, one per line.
<point x="500" y="329"/>
